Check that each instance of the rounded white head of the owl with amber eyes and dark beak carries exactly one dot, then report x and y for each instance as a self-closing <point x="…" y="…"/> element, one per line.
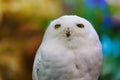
<point x="70" y="27"/>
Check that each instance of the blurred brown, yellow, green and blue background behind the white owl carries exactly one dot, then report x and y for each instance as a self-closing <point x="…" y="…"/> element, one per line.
<point x="23" y="23"/>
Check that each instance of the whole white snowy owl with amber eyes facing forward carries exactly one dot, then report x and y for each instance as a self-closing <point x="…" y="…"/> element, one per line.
<point x="70" y="50"/>
